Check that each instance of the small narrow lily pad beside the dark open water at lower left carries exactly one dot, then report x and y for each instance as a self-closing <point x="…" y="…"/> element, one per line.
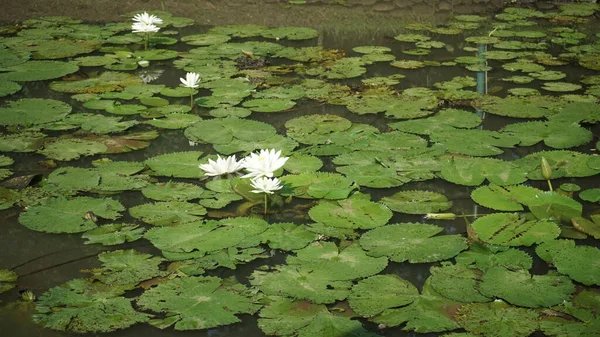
<point x="113" y="234"/>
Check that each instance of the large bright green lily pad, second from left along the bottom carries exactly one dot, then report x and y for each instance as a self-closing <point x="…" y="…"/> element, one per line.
<point x="179" y="298"/>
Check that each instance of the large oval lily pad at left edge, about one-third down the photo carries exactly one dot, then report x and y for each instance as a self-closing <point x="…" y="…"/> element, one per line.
<point x="33" y="111"/>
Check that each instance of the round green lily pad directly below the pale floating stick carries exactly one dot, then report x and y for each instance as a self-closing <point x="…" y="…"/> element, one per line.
<point x="412" y="242"/>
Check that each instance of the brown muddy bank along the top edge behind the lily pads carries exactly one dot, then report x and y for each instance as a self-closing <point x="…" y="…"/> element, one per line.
<point x="314" y="13"/>
